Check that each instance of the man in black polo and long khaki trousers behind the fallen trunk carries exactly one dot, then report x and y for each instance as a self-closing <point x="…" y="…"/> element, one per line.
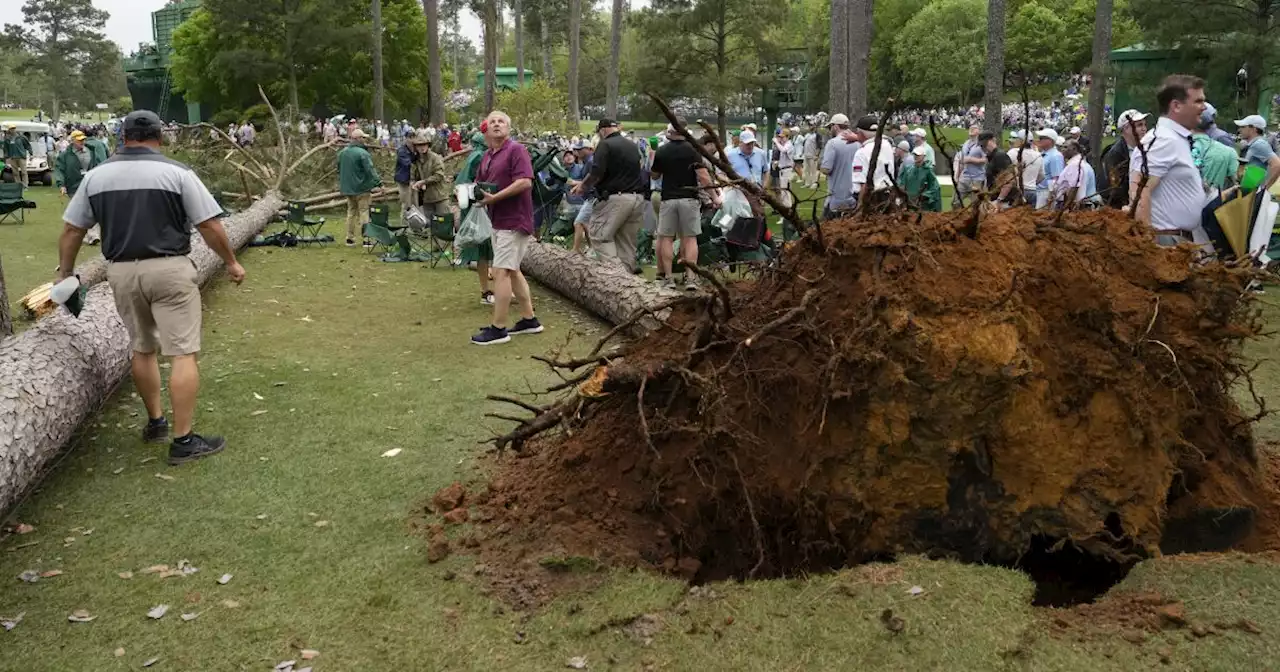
<point x="619" y="213"/>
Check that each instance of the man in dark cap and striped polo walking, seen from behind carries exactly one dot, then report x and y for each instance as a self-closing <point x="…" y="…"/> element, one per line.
<point x="148" y="207"/>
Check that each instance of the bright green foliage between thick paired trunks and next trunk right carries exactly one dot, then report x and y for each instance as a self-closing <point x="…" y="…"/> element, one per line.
<point x="941" y="52"/>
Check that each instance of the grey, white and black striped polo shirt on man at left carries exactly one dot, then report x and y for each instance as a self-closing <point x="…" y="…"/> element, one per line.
<point x="148" y="205"/>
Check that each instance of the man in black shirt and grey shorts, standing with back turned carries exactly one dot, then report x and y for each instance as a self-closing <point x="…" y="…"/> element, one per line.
<point x="682" y="171"/>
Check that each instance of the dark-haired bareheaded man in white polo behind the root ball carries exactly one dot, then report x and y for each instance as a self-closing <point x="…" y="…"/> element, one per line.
<point x="1174" y="195"/>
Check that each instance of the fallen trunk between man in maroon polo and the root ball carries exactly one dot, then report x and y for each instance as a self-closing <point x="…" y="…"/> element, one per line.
<point x="607" y="290"/>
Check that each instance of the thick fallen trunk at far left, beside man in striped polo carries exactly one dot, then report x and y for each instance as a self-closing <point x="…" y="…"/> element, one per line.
<point x="54" y="376"/>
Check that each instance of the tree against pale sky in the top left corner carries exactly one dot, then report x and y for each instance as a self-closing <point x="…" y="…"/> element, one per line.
<point x="63" y="42"/>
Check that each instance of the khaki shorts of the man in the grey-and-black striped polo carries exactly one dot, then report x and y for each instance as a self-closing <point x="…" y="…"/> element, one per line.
<point x="159" y="303"/>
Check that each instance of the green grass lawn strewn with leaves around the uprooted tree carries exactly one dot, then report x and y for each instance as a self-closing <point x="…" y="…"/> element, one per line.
<point x="353" y="358"/>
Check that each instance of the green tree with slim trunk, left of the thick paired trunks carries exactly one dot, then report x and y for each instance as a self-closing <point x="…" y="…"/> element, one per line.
<point x="711" y="49"/>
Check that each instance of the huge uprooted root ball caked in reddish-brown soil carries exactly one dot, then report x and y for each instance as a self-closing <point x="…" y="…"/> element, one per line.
<point x="1050" y="385"/>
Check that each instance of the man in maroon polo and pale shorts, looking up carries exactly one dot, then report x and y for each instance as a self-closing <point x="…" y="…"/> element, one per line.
<point x="508" y="164"/>
